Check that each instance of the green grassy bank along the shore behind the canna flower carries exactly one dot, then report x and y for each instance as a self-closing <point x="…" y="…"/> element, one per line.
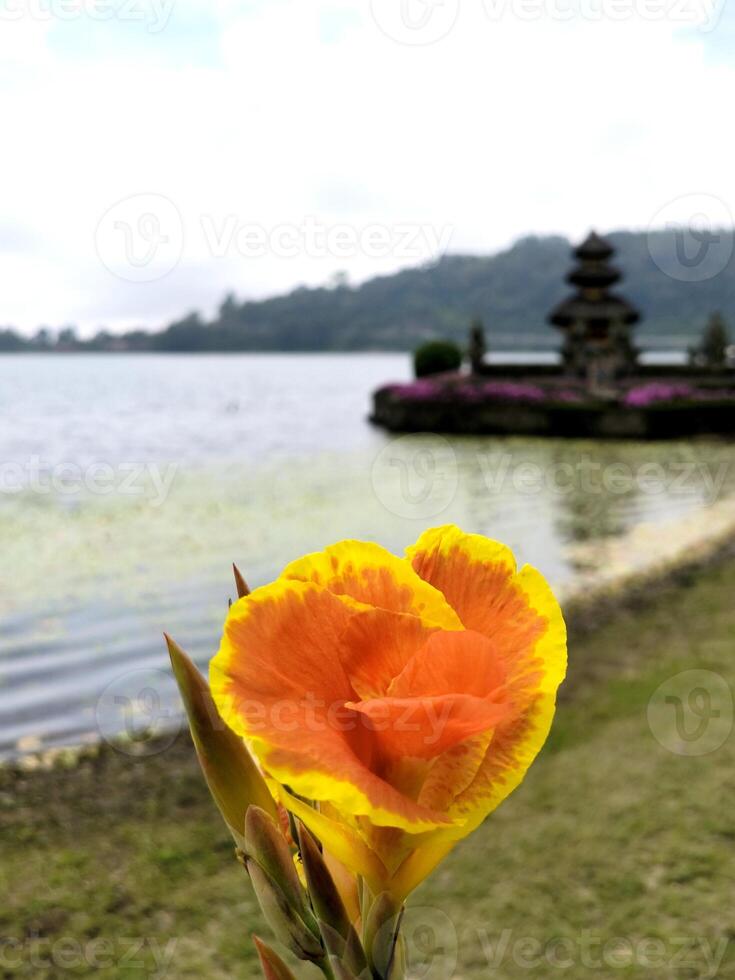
<point x="615" y="858"/>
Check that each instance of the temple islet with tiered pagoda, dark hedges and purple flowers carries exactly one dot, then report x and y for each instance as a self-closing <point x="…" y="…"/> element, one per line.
<point x="599" y="390"/>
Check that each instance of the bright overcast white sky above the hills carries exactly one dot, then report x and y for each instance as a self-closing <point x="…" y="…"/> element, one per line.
<point x="157" y="155"/>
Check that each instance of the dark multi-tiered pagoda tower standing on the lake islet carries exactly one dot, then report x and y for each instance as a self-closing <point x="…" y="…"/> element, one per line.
<point x="596" y="323"/>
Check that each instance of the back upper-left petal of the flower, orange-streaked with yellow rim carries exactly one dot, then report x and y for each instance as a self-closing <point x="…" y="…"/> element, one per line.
<point x="371" y="575"/>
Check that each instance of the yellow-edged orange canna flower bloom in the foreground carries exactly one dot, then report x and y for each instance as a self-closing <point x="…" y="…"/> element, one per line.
<point x="403" y="698"/>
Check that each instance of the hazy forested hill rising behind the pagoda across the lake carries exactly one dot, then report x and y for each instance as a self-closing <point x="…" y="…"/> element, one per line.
<point x="511" y="291"/>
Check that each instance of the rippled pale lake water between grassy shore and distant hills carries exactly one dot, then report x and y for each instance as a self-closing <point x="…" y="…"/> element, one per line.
<point x="129" y="484"/>
